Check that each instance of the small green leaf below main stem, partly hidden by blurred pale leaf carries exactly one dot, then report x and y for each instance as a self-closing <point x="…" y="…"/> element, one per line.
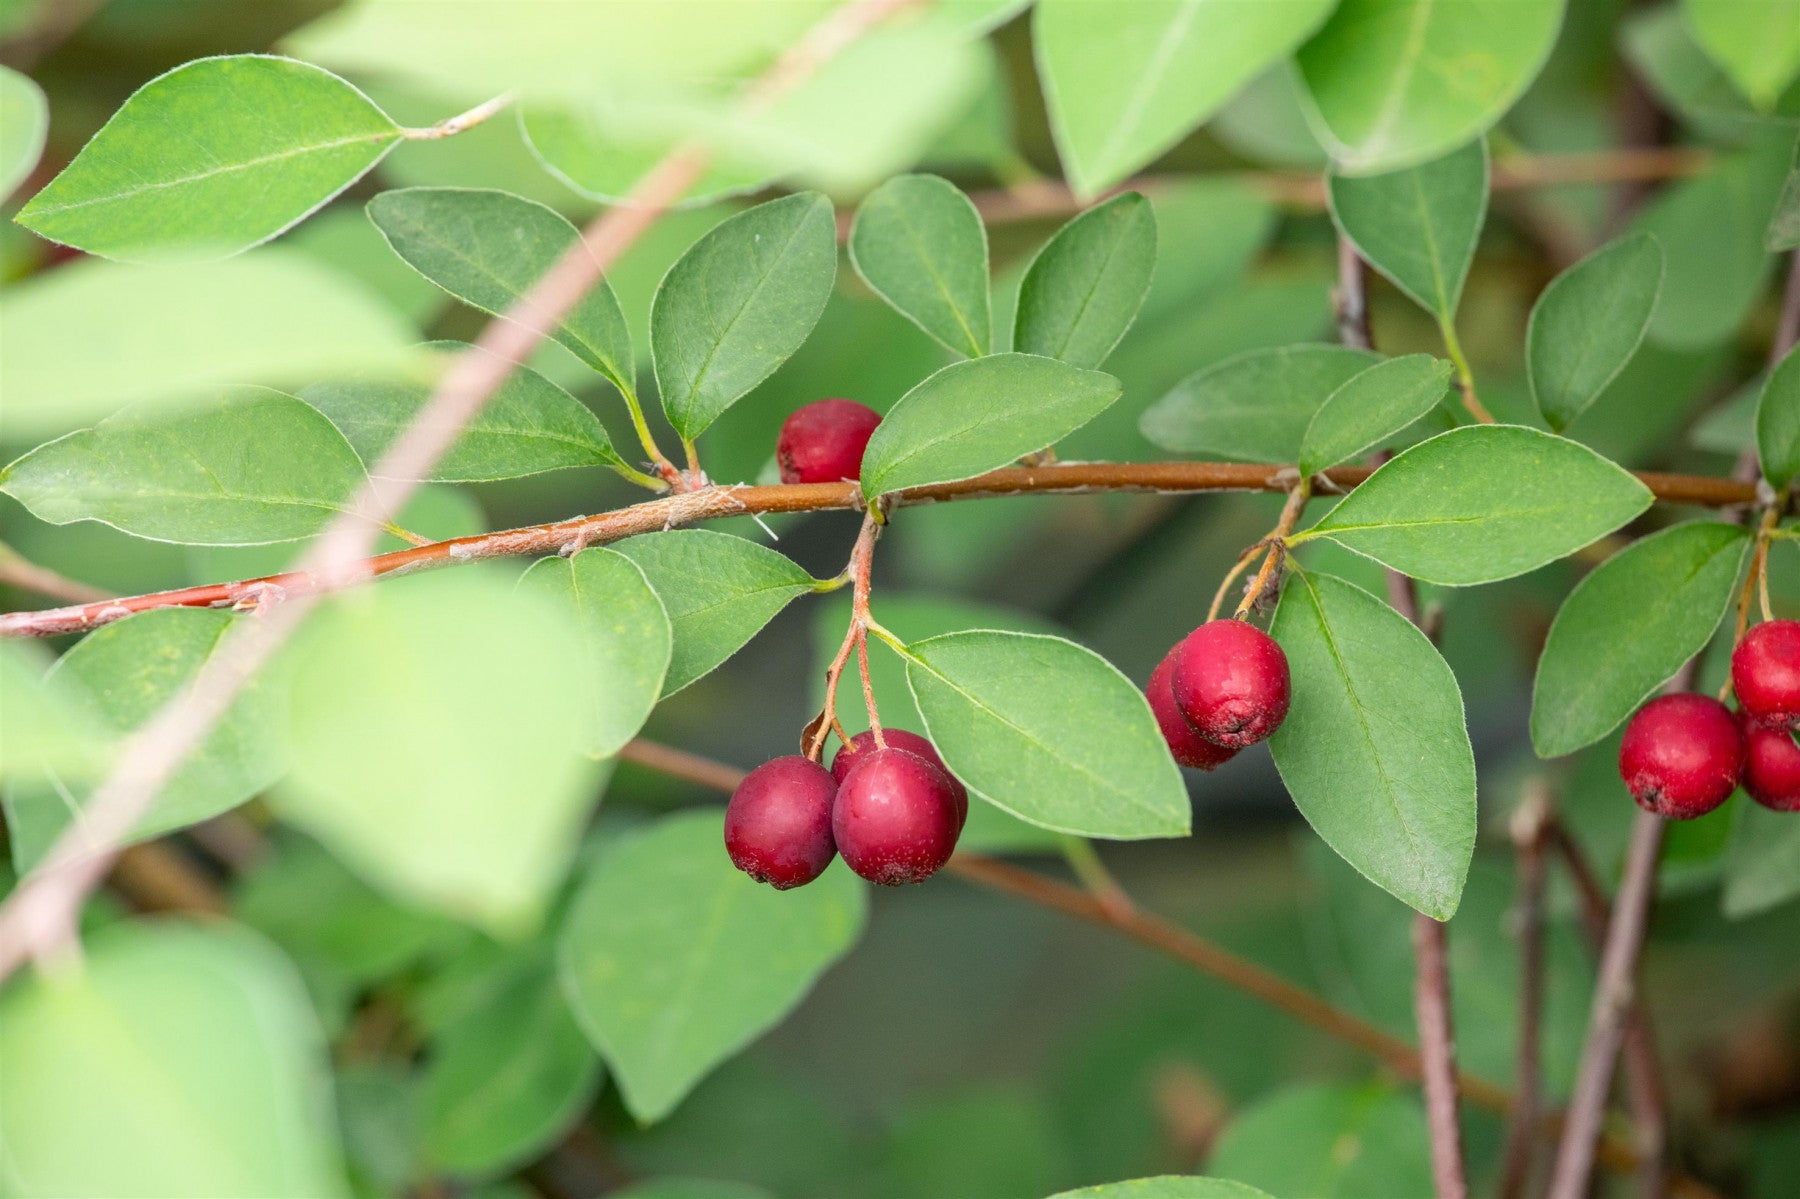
<point x="625" y="636"/>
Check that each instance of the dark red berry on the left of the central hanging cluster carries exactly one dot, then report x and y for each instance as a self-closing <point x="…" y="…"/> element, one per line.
<point x="778" y="824"/>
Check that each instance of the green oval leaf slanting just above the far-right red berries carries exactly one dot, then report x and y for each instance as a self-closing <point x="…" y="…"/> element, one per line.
<point x="1628" y="627"/>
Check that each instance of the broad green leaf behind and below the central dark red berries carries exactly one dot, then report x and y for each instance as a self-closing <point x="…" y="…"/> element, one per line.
<point x="674" y="960"/>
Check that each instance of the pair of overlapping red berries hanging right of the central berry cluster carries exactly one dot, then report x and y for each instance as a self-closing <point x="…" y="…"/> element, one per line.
<point x="1225" y="687"/>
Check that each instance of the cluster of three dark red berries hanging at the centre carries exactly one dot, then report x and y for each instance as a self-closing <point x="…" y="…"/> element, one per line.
<point x="894" y="813"/>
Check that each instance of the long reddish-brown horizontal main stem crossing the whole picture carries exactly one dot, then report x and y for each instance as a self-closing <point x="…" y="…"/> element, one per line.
<point x="717" y="503"/>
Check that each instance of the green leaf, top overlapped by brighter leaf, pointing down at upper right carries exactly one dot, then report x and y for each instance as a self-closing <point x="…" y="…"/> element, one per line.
<point x="1419" y="226"/>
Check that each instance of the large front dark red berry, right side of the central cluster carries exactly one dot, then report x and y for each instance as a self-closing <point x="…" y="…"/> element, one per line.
<point x="895" y="818"/>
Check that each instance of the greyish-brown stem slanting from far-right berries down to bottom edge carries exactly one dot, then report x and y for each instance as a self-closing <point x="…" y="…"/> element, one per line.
<point x="1612" y="1004"/>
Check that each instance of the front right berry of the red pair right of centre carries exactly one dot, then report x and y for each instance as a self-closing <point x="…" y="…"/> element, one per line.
<point x="1230" y="681"/>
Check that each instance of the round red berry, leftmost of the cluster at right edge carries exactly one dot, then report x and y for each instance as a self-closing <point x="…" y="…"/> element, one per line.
<point x="1682" y="755"/>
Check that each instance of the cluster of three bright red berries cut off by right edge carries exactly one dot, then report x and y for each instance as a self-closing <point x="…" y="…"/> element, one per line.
<point x="1684" y="755"/>
